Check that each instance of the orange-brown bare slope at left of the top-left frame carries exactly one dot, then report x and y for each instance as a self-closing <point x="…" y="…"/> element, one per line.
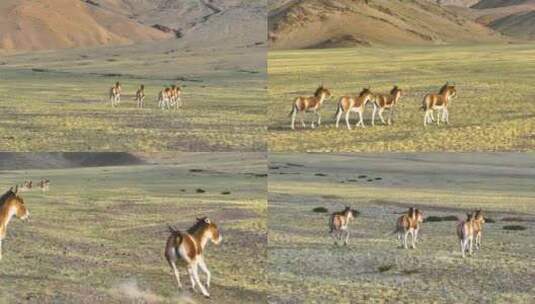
<point x="39" y="24"/>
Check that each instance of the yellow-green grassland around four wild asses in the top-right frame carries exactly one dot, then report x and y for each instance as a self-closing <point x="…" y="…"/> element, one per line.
<point x="494" y="110"/>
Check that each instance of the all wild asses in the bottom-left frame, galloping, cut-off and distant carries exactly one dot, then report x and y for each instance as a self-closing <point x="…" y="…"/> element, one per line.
<point x="184" y="247"/>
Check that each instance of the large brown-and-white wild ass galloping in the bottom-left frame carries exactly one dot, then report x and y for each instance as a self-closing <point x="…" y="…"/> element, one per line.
<point x="189" y="247"/>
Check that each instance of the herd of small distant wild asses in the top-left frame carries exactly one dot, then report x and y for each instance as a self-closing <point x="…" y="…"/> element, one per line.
<point x="168" y="98"/>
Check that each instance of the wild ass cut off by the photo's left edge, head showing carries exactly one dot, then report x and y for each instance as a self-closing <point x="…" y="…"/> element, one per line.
<point x="11" y="204"/>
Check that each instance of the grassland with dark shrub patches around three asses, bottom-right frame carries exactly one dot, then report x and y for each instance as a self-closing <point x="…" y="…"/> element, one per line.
<point x="305" y="266"/>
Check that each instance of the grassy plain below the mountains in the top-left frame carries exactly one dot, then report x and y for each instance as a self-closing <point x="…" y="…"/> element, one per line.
<point x="58" y="100"/>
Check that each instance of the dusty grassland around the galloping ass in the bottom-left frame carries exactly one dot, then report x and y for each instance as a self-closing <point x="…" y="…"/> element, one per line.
<point x="98" y="235"/>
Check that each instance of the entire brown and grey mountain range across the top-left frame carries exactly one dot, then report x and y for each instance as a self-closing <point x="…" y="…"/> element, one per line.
<point x="53" y="24"/>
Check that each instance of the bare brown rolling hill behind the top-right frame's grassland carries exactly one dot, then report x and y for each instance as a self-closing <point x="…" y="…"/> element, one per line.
<point x="335" y="23"/>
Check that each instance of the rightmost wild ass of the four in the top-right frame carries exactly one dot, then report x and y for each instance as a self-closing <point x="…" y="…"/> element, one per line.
<point x="438" y="102"/>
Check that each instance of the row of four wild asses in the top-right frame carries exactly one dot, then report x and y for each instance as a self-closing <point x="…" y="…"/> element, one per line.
<point x="347" y="104"/>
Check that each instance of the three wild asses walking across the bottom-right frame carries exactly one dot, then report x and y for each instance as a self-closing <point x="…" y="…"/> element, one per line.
<point x="468" y="230"/>
